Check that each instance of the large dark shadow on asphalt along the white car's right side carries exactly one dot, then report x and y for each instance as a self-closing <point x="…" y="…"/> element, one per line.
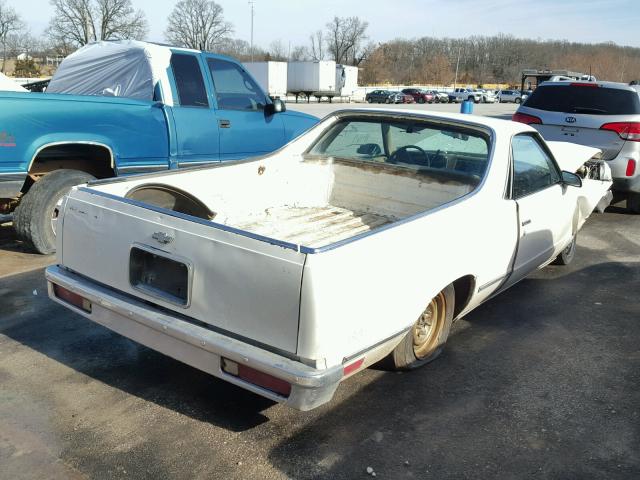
<point x="539" y="382"/>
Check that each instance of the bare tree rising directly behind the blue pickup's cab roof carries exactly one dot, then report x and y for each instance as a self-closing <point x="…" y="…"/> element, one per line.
<point x="198" y="24"/>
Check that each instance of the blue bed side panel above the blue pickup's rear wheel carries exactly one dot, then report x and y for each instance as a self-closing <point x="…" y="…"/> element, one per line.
<point x="133" y="130"/>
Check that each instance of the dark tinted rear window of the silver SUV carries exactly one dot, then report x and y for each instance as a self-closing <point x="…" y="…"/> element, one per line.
<point x="586" y="100"/>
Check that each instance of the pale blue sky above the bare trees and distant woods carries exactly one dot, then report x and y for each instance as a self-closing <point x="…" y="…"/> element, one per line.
<point x="590" y="21"/>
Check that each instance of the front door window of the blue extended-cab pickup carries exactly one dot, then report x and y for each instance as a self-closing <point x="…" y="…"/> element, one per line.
<point x="235" y="89"/>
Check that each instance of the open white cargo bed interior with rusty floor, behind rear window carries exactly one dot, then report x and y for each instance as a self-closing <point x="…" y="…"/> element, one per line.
<point x="308" y="202"/>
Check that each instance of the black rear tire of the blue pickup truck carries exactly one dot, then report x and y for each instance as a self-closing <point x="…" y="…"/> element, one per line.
<point x="33" y="219"/>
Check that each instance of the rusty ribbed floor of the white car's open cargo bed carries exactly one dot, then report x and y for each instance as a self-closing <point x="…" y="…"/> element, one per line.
<point x="313" y="226"/>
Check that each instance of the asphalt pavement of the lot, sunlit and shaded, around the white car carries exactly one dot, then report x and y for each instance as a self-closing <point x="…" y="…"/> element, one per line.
<point x="540" y="382"/>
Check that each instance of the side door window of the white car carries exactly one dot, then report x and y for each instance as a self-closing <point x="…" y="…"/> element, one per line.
<point x="533" y="168"/>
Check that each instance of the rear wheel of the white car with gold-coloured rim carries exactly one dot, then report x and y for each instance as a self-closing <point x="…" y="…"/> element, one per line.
<point x="426" y="339"/>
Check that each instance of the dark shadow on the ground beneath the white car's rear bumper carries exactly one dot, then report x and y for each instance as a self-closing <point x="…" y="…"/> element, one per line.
<point x="88" y="348"/>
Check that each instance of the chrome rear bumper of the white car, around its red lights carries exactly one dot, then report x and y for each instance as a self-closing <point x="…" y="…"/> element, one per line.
<point x="195" y="345"/>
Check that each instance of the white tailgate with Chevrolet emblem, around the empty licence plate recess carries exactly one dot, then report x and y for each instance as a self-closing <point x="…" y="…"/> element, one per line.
<point x="228" y="281"/>
